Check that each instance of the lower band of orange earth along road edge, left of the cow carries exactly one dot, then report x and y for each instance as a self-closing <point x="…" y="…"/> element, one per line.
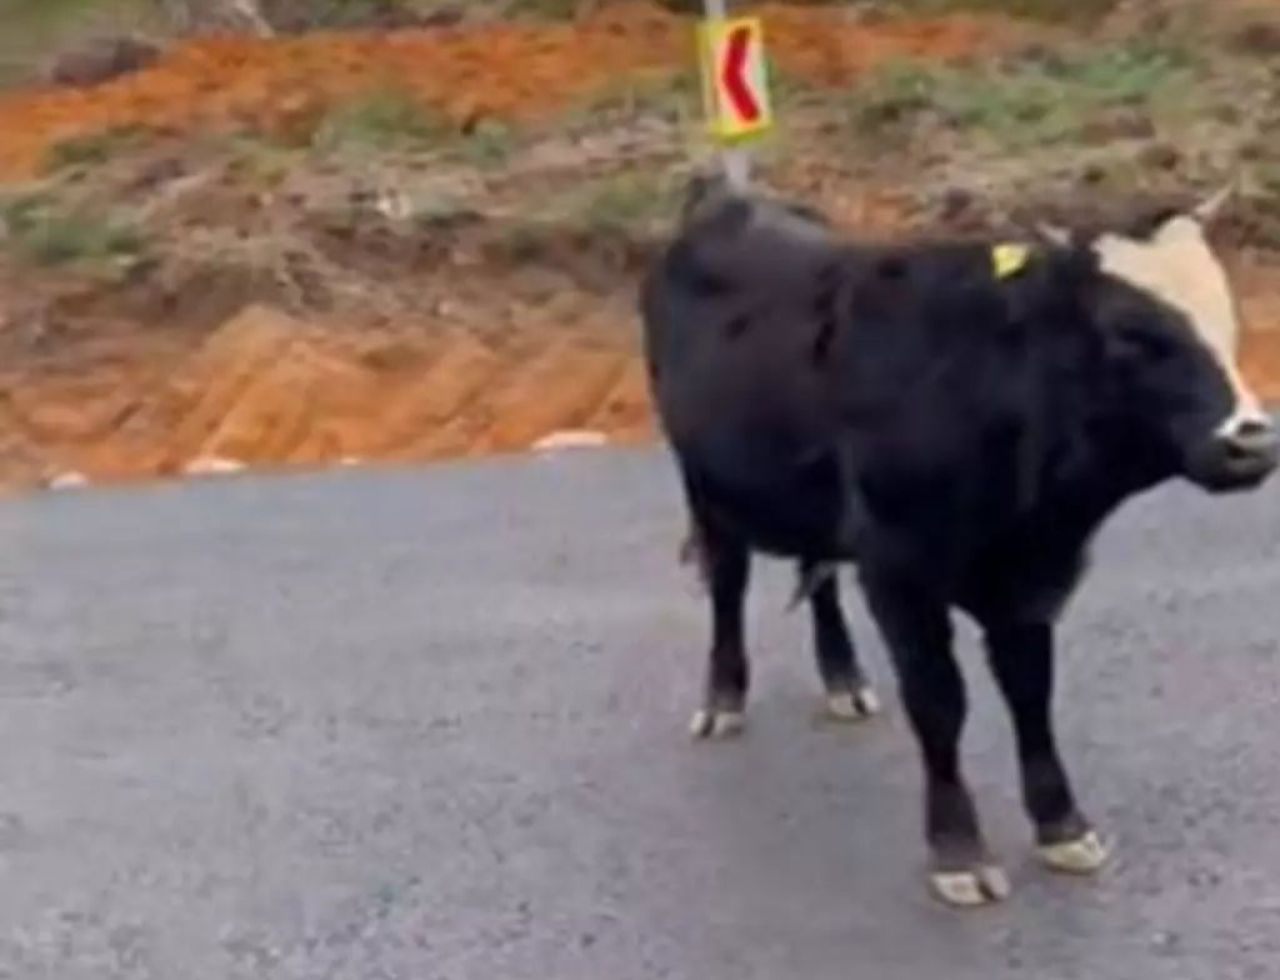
<point x="268" y="391"/>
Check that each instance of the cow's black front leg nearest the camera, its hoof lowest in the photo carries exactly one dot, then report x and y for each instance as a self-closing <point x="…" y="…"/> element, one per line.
<point x="917" y="630"/>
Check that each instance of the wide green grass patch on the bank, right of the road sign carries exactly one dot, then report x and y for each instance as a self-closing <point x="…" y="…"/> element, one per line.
<point x="1027" y="103"/>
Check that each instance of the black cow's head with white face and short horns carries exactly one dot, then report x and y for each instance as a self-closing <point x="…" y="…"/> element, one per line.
<point x="1169" y="332"/>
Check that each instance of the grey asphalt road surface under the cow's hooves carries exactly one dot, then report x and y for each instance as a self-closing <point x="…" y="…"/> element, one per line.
<point x="432" y="725"/>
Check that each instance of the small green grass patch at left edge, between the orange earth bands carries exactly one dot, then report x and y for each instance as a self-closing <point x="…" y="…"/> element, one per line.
<point x="43" y="232"/>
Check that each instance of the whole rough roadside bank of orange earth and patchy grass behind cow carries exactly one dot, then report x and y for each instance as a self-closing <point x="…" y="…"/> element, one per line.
<point x="423" y="244"/>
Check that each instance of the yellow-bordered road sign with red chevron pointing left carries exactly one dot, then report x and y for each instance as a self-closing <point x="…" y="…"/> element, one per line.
<point x="735" y="83"/>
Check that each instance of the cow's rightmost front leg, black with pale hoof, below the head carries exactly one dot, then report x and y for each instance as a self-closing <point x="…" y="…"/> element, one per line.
<point x="1022" y="658"/>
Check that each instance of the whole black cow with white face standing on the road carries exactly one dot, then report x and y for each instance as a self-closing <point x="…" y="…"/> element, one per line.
<point x="957" y="419"/>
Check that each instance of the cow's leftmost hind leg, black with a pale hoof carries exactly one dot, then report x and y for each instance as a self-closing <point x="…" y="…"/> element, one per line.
<point x="726" y="564"/>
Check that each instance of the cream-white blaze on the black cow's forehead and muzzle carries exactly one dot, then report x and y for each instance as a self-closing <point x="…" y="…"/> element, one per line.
<point x="1178" y="268"/>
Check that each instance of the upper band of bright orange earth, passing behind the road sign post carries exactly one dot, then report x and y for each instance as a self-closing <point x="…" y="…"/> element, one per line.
<point x="469" y="72"/>
